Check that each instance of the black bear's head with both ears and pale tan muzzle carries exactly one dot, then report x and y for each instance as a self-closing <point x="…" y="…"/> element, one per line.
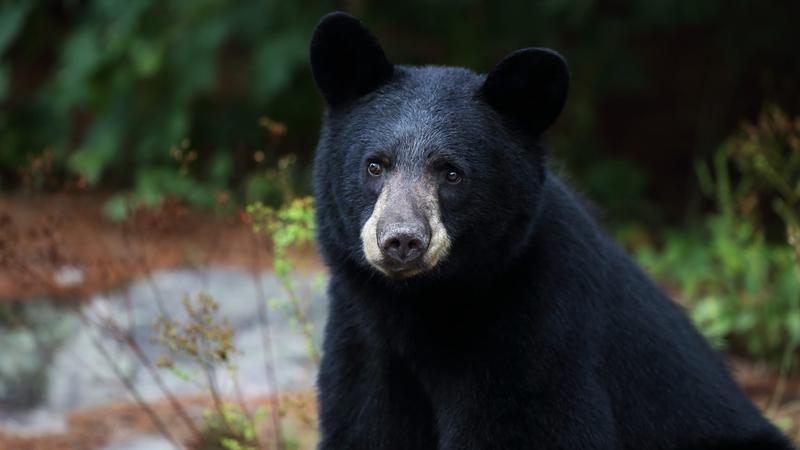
<point x="427" y="172"/>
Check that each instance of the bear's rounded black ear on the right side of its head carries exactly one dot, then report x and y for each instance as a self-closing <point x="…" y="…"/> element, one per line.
<point x="528" y="87"/>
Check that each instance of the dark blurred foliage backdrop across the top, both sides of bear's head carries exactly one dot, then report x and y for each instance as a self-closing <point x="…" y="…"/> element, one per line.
<point x="108" y="87"/>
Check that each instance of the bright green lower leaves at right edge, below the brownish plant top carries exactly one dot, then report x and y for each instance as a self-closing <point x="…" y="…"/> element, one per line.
<point x="741" y="291"/>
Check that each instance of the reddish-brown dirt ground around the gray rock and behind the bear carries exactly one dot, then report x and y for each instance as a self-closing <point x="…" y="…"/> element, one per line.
<point x="61" y="246"/>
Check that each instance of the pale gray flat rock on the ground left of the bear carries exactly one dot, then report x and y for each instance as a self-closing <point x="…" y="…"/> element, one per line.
<point x="76" y="374"/>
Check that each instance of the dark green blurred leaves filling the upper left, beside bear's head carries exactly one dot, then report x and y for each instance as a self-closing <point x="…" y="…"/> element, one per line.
<point x="134" y="79"/>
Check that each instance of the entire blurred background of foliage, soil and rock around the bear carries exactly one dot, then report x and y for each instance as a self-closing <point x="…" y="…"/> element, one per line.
<point x="155" y="174"/>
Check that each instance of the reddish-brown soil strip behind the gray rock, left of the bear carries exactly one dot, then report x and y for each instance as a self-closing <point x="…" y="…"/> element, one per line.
<point x="41" y="235"/>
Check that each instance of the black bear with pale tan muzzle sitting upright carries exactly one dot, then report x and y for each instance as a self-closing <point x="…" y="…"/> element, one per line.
<point x="475" y="304"/>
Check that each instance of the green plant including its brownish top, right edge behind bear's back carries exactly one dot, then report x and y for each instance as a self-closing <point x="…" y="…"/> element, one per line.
<point x="742" y="289"/>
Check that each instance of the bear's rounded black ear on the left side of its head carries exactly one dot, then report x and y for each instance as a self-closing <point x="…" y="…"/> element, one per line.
<point x="346" y="59"/>
